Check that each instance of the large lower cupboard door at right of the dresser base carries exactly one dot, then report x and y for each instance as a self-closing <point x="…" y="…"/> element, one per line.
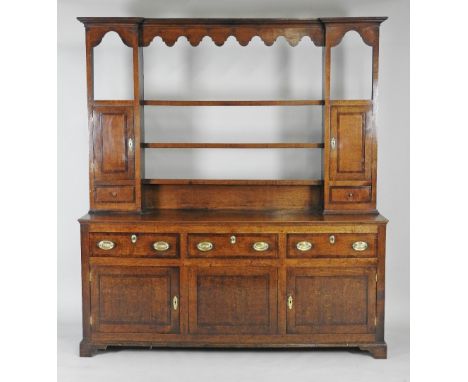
<point x="331" y="300"/>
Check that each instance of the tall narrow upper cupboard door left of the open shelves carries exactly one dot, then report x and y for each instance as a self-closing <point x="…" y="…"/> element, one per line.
<point x="114" y="143"/>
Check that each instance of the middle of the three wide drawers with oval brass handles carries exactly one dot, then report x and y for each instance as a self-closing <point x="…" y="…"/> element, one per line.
<point x="232" y="245"/>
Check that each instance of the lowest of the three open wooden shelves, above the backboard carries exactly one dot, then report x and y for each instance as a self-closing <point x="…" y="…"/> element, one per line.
<point x="241" y="182"/>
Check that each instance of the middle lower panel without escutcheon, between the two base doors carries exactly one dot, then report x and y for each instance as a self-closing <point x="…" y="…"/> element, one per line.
<point x="228" y="300"/>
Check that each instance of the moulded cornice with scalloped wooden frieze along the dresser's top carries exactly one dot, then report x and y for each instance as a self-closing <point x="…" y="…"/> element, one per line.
<point x="138" y="31"/>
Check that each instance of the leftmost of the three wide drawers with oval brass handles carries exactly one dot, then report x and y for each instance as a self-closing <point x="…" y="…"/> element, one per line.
<point x="134" y="245"/>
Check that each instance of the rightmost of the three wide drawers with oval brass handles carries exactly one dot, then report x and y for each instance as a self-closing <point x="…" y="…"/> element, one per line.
<point x="332" y="245"/>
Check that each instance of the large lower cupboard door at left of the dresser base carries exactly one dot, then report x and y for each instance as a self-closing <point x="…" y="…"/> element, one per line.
<point x="132" y="299"/>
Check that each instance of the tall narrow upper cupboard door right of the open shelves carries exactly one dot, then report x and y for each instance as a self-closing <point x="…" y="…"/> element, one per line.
<point x="351" y="143"/>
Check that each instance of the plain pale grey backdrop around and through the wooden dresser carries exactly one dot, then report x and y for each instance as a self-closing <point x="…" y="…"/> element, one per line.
<point x="255" y="72"/>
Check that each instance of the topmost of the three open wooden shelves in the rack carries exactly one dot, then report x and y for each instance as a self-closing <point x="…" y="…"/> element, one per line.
<point x="232" y="103"/>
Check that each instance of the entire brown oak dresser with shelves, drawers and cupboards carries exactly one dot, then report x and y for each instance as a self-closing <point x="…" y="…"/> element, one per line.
<point x="232" y="262"/>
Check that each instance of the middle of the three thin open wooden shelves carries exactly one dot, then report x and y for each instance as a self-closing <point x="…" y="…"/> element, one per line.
<point x="232" y="145"/>
